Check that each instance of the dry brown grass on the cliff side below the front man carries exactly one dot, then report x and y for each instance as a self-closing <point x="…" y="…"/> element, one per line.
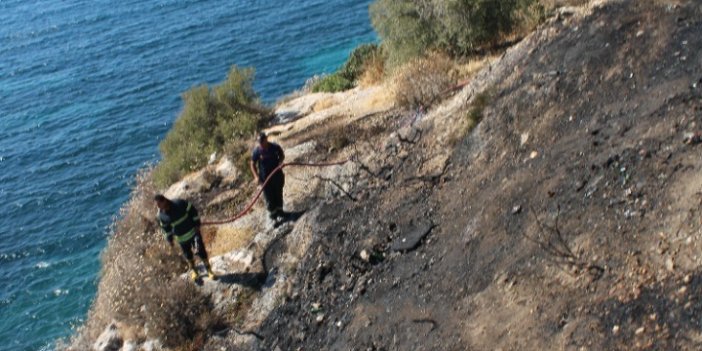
<point x="140" y="286"/>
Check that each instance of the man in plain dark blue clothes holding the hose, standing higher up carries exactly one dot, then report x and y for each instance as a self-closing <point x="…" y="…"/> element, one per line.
<point x="266" y="158"/>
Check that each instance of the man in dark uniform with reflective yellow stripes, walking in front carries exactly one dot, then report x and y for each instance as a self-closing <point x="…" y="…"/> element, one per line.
<point x="180" y="221"/>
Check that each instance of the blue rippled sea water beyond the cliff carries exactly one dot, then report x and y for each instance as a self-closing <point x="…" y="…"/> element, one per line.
<point x="88" y="89"/>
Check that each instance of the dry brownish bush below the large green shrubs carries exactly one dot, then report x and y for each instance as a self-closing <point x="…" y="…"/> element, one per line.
<point x="421" y="81"/>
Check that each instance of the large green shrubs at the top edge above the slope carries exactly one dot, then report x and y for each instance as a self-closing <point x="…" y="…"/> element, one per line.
<point x="409" y="28"/>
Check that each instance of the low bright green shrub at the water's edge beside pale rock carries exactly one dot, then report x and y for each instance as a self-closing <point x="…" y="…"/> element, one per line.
<point x="345" y="78"/>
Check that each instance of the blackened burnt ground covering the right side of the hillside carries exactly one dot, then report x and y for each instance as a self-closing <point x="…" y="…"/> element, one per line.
<point x="569" y="218"/>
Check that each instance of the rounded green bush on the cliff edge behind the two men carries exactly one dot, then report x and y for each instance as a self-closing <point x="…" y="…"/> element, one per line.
<point x="210" y="119"/>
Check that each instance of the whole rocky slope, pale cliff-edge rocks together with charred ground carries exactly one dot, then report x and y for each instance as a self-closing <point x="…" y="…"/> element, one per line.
<point x="568" y="219"/>
